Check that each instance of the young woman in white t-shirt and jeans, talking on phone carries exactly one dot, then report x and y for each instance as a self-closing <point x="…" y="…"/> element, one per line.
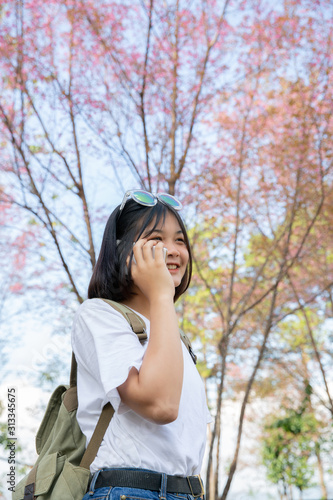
<point x="154" y="445"/>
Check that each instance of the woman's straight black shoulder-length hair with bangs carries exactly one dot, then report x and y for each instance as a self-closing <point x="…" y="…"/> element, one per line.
<point x="111" y="278"/>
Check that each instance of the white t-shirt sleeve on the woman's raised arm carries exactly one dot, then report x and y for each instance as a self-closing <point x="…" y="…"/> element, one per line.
<point x="105" y="344"/>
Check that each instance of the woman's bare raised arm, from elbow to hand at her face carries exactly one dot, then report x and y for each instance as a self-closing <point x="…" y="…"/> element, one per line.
<point x="154" y="392"/>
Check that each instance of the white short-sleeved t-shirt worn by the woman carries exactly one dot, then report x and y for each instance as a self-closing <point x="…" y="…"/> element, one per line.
<point x="106" y="348"/>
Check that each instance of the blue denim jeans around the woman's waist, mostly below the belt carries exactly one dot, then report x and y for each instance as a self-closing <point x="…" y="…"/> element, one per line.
<point x="119" y="493"/>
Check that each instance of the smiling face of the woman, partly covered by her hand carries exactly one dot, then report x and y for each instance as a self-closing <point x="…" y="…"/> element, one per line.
<point x="171" y="234"/>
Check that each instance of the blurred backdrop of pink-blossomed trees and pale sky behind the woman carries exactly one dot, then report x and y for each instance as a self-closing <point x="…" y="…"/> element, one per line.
<point x="228" y="105"/>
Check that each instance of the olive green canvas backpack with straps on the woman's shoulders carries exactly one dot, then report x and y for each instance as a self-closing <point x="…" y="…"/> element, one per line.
<point x="62" y="470"/>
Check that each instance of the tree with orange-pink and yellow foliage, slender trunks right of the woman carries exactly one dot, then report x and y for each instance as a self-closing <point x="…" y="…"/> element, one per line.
<point x="270" y="182"/>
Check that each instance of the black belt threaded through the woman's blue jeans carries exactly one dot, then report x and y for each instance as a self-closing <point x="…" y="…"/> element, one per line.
<point x="190" y="485"/>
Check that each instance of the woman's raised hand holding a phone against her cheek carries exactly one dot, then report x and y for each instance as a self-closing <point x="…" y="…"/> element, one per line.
<point x="150" y="274"/>
